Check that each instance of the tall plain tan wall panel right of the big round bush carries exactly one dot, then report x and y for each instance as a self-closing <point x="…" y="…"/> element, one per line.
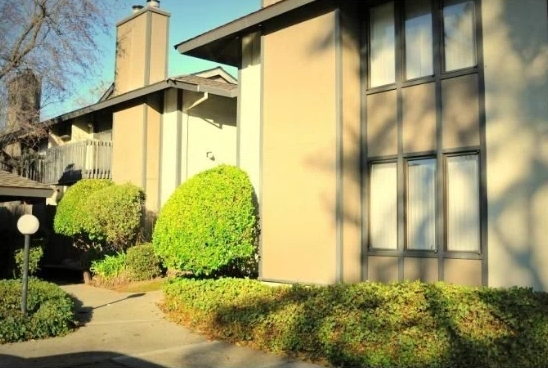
<point x="299" y="145"/>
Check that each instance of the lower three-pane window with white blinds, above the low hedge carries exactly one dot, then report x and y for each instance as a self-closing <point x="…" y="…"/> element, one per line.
<point x="460" y="202"/>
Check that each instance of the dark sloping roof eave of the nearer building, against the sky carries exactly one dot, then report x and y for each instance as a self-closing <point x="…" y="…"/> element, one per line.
<point x="222" y="44"/>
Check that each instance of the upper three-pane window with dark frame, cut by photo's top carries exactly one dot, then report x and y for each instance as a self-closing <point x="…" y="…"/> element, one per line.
<point x="456" y="28"/>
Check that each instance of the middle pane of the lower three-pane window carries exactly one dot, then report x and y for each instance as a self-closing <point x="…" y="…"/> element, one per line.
<point x="421" y="204"/>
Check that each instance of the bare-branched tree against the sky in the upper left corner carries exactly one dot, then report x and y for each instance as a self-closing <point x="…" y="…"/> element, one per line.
<point x="56" y="40"/>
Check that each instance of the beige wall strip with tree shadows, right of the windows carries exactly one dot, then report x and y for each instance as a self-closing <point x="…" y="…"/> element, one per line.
<point x="516" y="94"/>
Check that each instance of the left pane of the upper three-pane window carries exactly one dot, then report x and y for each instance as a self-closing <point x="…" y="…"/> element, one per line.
<point x="383" y="45"/>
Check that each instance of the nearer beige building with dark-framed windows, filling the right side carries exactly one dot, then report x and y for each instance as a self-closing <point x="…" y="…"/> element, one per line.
<point x="393" y="140"/>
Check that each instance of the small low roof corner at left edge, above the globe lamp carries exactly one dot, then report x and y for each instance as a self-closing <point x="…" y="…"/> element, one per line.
<point x="15" y="187"/>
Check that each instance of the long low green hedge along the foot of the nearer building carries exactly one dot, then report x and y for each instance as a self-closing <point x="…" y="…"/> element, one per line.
<point x="409" y="324"/>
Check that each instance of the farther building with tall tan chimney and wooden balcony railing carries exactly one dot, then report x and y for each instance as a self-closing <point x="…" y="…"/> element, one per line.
<point x="149" y="129"/>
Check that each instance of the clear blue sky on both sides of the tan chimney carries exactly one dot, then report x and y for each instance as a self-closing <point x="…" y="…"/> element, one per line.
<point x="189" y="18"/>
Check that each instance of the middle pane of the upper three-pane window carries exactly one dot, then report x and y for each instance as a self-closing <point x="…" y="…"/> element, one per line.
<point x="418" y="39"/>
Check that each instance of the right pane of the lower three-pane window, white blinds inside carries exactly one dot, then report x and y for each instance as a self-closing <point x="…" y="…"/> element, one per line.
<point x="463" y="203"/>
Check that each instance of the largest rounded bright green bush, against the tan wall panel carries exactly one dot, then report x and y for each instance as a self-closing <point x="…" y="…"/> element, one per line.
<point x="209" y="224"/>
